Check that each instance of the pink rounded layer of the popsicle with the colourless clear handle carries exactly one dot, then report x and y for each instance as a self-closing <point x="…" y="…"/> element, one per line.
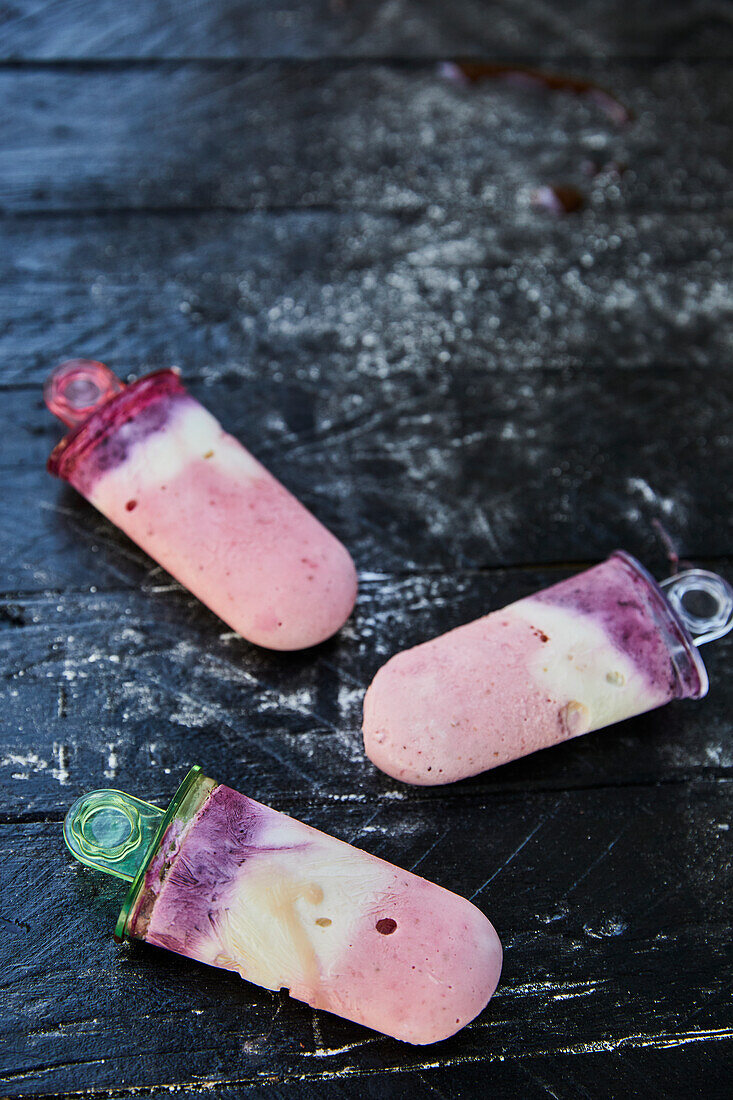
<point x="461" y="705"/>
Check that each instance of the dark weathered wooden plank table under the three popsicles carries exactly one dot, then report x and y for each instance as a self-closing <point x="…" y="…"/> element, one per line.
<point x="338" y="247"/>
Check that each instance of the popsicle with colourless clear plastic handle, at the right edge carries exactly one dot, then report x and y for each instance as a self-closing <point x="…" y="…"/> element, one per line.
<point x="600" y="647"/>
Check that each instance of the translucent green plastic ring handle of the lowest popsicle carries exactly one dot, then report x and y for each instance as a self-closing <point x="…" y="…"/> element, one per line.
<point x="113" y="832"/>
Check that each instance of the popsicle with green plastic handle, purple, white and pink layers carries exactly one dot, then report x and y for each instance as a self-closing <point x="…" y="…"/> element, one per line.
<point x="225" y="881"/>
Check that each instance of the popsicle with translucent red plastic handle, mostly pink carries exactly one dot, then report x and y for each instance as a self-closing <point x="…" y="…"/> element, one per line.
<point x="157" y="464"/>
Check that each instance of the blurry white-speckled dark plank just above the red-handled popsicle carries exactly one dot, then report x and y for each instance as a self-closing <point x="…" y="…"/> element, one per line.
<point x="345" y="309"/>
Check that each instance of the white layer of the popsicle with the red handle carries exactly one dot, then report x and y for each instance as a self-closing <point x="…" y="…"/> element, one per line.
<point x="191" y="434"/>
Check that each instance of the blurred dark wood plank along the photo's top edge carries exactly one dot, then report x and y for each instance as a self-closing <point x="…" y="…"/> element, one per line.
<point x="53" y="29"/>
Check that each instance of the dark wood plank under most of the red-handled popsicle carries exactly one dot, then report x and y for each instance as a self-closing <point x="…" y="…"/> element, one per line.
<point x="439" y="471"/>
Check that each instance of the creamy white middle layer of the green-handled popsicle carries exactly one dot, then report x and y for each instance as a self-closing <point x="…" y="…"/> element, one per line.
<point x="296" y="909"/>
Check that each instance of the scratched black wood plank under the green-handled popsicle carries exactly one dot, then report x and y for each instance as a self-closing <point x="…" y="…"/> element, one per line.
<point x="611" y="944"/>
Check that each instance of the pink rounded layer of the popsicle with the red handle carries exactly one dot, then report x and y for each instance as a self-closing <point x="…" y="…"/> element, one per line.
<point x="248" y="549"/>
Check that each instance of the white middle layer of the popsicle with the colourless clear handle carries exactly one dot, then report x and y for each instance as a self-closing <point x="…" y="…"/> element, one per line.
<point x="579" y="663"/>
